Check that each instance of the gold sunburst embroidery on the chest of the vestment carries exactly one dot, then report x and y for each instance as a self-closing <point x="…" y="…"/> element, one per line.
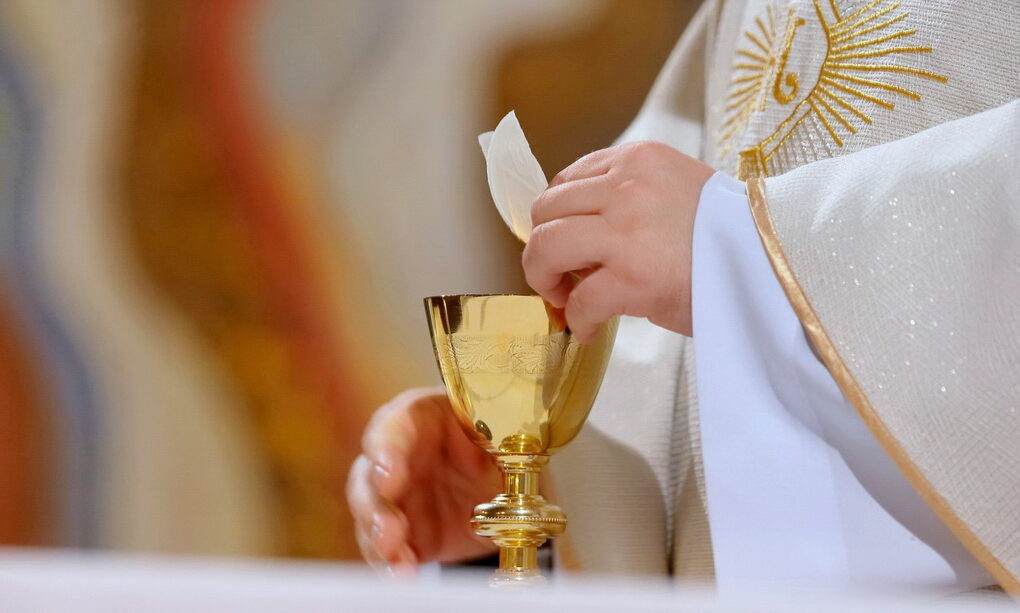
<point x="848" y="79"/>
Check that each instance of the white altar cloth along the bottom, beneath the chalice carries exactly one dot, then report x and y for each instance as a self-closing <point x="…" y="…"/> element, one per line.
<point x="43" y="581"/>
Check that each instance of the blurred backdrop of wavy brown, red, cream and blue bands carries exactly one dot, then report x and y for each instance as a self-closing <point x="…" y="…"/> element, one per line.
<point x="218" y="222"/>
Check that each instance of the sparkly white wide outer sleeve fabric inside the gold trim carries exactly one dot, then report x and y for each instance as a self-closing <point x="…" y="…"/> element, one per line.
<point x="910" y="253"/>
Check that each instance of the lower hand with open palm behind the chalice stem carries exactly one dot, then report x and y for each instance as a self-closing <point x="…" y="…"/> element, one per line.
<point x="414" y="488"/>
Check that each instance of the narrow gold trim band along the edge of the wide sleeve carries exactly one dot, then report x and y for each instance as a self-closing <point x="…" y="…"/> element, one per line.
<point x="852" y="390"/>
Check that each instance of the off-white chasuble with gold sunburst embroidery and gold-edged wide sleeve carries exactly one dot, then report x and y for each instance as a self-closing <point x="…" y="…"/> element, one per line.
<point x="879" y="142"/>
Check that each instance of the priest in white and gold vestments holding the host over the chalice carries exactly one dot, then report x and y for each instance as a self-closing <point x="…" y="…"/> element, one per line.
<point x="812" y="230"/>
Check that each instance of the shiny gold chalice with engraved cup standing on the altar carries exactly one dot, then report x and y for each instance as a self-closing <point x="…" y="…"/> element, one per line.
<point x="522" y="387"/>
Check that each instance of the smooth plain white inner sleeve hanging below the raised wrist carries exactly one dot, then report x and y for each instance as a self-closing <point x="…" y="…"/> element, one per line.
<point x="800" y="494"/>
